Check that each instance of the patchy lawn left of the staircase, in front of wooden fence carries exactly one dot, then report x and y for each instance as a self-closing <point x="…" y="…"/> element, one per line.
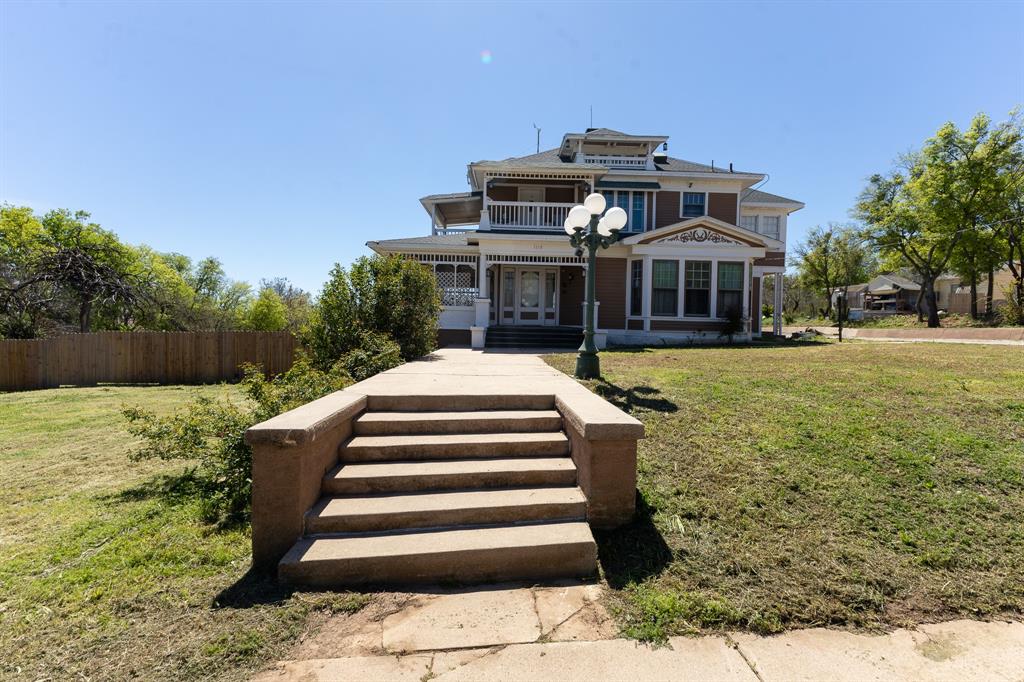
<point x="107" y="571"/>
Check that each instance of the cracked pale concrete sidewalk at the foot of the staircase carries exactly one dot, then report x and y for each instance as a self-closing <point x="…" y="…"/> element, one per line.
<point x="564" y="633"/>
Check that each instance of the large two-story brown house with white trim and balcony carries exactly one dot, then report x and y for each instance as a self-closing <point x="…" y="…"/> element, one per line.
<point x="699" y="242"/>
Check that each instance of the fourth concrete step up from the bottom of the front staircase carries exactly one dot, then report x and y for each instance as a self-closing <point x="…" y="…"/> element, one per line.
<point x="452" y="446"/>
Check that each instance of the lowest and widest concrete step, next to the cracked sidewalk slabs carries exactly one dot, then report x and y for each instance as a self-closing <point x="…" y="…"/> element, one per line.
<point x="541" y="551"/>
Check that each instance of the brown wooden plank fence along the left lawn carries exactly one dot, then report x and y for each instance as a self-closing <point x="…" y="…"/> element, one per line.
<point x="141" y="358"/>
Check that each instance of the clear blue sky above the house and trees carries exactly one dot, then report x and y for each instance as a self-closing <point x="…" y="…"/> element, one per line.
<point x="281" y="137"/>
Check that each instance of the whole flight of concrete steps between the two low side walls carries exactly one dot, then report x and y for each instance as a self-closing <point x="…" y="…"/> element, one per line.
<point x="432" y="491"/>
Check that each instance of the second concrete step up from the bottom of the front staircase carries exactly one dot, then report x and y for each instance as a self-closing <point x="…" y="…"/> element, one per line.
<point x="418" y="510"/>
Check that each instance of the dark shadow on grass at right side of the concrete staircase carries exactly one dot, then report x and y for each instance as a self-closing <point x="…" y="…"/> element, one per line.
<point x="634" y="552"/>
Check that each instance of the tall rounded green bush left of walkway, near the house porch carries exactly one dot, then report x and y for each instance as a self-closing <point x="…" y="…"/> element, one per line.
<point x="391" y="295"/>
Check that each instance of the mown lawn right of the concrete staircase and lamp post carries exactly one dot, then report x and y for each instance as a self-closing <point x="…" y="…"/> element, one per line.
<point x="806" y="485"/>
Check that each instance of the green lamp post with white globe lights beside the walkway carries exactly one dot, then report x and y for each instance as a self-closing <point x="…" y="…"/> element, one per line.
<point x="588" y="230"/>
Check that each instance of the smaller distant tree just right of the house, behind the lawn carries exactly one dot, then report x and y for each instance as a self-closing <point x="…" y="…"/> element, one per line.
<point x="833" y="259"/>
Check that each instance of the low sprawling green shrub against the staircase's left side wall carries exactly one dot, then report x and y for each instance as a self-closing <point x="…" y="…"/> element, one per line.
<point x="211" y="434"/>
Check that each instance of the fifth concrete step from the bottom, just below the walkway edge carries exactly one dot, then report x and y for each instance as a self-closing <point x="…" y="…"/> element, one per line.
<point x="485" y="421"/>
